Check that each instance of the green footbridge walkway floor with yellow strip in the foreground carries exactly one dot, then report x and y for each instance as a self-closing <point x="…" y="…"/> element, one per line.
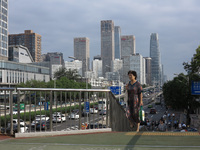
<point x="107" y="141"/>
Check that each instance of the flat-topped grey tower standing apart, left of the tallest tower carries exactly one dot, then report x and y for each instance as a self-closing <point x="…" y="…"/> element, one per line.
<point x="82" y="52"/>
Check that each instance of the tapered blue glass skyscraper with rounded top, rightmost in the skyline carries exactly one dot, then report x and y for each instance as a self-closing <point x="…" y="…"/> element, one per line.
<point x="156" y="69"/>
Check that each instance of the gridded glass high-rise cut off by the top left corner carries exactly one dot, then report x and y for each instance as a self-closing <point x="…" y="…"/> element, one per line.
<point x="4" y="30"/>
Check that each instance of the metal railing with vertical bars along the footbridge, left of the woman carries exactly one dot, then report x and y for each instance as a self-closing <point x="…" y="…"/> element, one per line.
<point x="37" y="107"/>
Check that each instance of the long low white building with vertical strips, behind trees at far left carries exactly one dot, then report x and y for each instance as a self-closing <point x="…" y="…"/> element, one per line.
<point x="13" y="73"/>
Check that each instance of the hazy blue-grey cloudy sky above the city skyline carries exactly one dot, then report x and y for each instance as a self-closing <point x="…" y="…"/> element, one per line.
<point x="177" y="23"/>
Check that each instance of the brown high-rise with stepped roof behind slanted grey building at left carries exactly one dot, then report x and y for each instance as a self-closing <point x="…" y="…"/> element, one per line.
<point x="30" y="40"/>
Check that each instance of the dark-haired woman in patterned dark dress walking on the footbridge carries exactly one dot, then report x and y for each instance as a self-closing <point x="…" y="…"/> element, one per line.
<point x="134" y="90"/>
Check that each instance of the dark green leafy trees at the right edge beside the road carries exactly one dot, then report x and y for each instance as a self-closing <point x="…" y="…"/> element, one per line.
<point x="177" y="92"/>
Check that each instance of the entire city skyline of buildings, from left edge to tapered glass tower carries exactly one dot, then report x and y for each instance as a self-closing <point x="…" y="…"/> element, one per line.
<point x="22" y="58"/>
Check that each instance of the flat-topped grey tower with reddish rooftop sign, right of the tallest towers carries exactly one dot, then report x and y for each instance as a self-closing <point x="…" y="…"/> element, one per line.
<point x="127" y="50"/>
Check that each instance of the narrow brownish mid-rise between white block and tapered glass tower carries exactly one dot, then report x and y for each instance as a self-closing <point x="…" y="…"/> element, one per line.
<point x="148" y="70"/>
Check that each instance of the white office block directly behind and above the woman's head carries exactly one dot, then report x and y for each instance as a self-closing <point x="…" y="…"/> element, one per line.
<point x="137" y="63"/>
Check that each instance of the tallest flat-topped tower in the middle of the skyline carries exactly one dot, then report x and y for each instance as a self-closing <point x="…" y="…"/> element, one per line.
<point x="107" y="45"/>
